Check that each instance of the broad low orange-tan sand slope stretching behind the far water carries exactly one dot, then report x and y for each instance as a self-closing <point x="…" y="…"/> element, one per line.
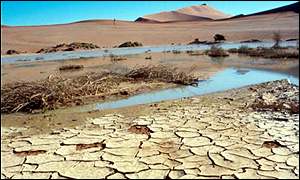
<point x="105" y="33"/>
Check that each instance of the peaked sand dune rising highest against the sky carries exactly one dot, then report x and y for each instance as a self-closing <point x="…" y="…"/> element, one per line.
<point x="192" y="13"/>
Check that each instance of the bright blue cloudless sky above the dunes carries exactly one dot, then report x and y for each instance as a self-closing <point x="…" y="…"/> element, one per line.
<point x="18" y="13"/>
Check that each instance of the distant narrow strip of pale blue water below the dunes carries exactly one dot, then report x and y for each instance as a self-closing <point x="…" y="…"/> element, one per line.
<point x="129" y="51"/>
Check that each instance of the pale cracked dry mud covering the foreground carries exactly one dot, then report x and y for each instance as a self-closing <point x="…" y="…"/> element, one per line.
<point x="188" y="138"/>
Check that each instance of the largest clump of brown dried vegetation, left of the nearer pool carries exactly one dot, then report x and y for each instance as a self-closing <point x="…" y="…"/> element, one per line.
<point x="57" y="91"/>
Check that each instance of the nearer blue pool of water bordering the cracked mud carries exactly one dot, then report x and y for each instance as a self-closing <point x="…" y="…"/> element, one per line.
<point x="228" y="79"/>
